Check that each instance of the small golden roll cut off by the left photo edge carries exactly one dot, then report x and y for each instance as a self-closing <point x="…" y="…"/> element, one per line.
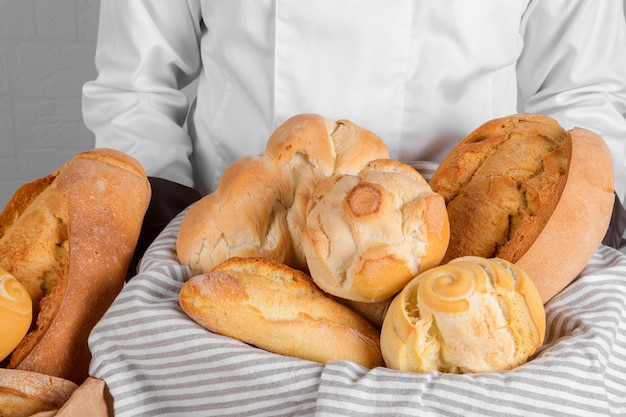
<point x="16" y="313"/>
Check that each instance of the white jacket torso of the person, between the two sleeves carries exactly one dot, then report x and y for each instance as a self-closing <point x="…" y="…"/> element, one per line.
<point x="420" y="74"/>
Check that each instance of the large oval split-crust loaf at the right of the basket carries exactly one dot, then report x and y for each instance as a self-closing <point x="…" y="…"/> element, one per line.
<point x="524" y="189"/>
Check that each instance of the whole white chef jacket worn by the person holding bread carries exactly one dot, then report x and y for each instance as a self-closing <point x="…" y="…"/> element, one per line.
<point x="421" y="74"/>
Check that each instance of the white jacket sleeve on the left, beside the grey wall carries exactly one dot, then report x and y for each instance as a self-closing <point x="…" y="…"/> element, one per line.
<point x="147" y="52"/>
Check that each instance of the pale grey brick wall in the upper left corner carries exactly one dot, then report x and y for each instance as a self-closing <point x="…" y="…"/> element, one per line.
<point x="46" y="54"/>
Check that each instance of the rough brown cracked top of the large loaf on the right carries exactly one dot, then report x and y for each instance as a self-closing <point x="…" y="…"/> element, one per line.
<point x="501" y="185"/>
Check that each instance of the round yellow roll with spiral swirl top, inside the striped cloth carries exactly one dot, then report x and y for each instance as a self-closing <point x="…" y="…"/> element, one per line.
<point x="470" y="315"/>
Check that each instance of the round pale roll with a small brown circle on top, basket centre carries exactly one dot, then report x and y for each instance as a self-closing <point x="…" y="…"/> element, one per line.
<point x="369" y="234"/>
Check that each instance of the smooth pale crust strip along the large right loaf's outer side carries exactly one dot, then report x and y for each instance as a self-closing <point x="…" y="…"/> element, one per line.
<point x="578" y="222"/>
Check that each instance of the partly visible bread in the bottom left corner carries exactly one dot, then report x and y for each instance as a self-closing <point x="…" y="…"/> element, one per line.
<point x="24" y="393"/>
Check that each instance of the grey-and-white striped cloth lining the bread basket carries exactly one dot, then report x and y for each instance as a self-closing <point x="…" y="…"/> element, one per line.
<point x="158" y="362"/>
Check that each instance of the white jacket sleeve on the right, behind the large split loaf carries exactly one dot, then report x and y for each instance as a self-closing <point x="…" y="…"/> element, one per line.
<point x="573" y="68"/>
